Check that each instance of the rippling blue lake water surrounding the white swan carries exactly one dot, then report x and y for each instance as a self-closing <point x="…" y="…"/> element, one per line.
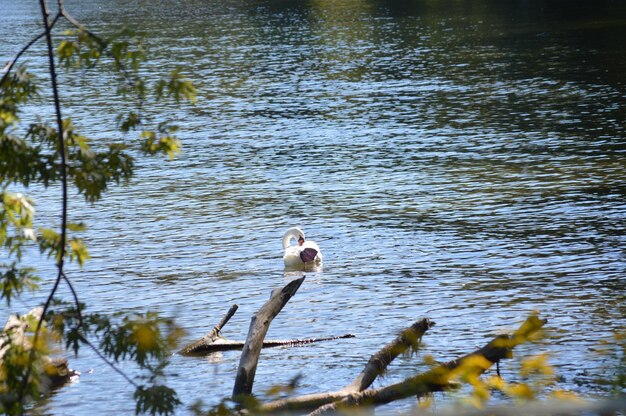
<point x="462" y="161"/>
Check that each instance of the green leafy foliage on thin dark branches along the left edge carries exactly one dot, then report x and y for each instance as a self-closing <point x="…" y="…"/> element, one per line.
<point x="54" y="152"/>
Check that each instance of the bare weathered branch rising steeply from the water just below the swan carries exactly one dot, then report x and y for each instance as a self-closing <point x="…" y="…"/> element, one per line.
<point x="259" y="325"/>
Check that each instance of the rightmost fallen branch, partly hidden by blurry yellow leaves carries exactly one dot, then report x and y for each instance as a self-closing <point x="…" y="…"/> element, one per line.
<point x="440" y="377"/>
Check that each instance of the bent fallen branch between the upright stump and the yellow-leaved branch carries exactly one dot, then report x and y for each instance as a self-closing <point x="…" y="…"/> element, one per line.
<point x="378" y="362"/>
